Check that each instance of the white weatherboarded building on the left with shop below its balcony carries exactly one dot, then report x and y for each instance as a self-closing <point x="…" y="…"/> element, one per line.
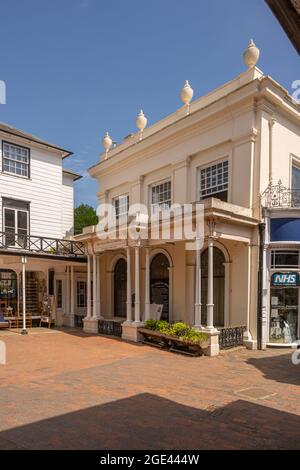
<point x="36" y="227"/>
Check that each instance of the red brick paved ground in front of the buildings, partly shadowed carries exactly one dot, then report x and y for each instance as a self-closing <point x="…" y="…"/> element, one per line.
<point x="67" y="390"/>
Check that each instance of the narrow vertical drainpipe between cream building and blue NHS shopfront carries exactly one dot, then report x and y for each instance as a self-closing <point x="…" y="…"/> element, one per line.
<point x="262" y="231"/>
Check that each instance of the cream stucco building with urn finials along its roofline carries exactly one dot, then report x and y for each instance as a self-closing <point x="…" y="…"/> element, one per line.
<point x="223" y="149"/>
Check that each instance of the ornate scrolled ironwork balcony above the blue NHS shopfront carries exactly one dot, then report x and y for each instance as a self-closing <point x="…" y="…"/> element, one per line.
<point x="279" y="196"/>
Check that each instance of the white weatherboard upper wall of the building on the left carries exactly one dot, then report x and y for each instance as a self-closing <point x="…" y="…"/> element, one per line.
<point x="51" y="198"/>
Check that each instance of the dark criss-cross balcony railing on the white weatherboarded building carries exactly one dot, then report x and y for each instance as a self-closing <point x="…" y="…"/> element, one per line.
<point x="11" y="241"/>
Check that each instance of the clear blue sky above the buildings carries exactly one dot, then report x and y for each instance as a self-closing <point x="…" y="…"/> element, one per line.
<point x="74" y="68"/>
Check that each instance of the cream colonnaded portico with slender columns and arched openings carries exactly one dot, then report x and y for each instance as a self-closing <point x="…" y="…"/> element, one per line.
<point x="209" y="288"/>
